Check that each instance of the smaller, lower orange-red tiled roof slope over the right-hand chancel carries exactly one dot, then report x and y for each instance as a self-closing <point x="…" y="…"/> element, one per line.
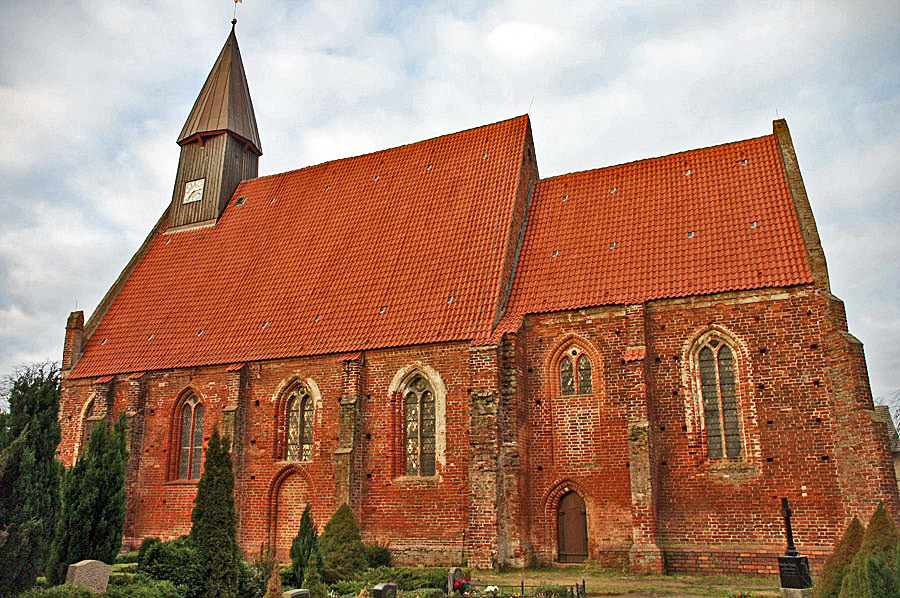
<point x="693" y="223"/>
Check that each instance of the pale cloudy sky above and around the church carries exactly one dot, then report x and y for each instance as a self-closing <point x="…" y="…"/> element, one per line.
<point x="93" y="94"/>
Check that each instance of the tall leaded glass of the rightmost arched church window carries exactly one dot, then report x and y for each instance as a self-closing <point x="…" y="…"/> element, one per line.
<point x="720" y="408"/>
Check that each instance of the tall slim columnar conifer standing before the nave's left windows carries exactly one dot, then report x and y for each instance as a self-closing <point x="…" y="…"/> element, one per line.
<point x="214" y="529"/>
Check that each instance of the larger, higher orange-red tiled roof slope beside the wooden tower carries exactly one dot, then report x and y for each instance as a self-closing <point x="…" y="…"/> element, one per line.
<point x="353" y="254"/>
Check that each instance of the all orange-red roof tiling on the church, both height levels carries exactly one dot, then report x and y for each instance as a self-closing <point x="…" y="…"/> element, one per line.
<point x="405" y="246"/>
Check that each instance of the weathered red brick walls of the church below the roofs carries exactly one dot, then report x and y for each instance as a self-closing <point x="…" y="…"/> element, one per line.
<point x="510" y="445"/>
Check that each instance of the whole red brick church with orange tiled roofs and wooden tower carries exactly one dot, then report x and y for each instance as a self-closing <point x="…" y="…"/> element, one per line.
<point x="631" y="365"/>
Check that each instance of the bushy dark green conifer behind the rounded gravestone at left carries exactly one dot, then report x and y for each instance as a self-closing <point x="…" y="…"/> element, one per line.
<point x="92" y="513"/>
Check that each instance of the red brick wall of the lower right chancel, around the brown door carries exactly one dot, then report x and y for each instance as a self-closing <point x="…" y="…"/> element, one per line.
<point x="798" y="439"/>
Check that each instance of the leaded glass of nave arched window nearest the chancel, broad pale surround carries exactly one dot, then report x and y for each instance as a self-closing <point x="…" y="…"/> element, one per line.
<point x="419" y="410"/>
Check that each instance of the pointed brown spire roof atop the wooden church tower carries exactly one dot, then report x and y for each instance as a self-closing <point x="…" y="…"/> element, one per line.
<point x="224" y="102"/>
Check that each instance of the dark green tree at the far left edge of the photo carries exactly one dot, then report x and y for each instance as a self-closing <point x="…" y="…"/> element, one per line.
<point x="29" y="475"/>
